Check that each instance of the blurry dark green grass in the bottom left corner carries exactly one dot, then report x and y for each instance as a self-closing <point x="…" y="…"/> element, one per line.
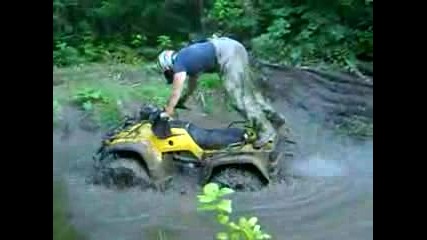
<point x="62" y="229"/>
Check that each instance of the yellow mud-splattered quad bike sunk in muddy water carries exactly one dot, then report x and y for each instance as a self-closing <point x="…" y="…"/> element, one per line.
<point x="150" y="148"/>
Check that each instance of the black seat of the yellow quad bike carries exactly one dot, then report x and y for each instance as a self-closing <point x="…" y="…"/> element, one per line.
<point x="213" y="139"/>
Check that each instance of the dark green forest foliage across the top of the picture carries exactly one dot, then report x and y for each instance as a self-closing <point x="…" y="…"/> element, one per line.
<point x="293" y="32"/>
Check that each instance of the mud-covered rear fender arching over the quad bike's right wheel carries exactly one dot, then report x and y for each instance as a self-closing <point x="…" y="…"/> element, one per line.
<point x="260" y="163"/>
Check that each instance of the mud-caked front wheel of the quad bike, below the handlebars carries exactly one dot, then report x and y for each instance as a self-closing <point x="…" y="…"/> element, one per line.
<point x="122" y="172"/>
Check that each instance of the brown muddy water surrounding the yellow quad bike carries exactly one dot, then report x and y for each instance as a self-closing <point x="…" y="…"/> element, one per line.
<point x="329" y="197"/>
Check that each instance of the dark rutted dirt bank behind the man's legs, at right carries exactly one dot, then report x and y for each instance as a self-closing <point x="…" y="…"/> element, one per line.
<point x="332" y="98"/>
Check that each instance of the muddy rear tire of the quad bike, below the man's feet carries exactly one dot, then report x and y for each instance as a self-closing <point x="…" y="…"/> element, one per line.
<point x="239" y="178"/>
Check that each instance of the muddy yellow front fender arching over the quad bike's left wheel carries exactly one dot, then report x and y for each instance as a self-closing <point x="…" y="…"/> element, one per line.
<point x="157" y="168"/>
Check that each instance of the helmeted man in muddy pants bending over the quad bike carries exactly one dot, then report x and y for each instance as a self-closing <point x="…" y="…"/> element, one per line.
<point x="230" y="58"/>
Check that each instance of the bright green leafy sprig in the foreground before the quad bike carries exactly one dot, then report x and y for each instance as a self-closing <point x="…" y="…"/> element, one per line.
<point x="212" y="199"/>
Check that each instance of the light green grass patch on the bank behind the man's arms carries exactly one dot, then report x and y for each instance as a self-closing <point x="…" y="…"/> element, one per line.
<point x="104" y="91"/>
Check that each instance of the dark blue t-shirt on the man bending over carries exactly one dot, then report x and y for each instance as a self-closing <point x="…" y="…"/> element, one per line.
<point x="195" y="59"/>
